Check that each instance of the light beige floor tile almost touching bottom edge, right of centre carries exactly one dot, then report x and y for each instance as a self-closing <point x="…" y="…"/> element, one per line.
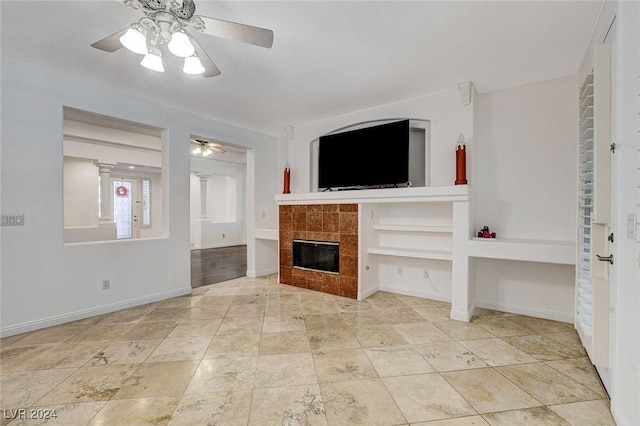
<point x="427" y="397"/>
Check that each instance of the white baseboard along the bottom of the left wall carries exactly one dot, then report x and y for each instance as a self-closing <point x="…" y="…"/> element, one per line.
<point x="91" y="312"/>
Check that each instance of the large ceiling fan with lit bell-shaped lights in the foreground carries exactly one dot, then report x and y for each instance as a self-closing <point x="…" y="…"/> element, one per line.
<point x="164" y="23"/>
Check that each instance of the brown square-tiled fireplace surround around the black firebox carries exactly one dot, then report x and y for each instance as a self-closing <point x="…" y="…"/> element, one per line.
<point x="323" y="223"/>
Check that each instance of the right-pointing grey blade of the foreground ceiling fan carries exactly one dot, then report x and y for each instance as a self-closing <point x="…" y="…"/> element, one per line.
<point x="233" y="31"/>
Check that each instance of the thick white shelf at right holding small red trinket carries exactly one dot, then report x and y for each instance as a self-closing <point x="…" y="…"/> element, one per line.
<point x="527" y="250"/>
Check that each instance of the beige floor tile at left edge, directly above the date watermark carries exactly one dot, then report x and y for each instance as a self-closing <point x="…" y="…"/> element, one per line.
<point x="22" y="389"/>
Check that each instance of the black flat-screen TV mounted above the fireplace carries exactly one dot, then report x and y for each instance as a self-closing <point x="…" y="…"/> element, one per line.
<point x="376" y="156"/>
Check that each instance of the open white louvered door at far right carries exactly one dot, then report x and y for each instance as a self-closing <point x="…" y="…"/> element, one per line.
<point x="596" y="257"/>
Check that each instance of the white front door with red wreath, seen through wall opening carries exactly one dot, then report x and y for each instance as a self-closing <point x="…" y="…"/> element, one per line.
<point x="125" y="207"/>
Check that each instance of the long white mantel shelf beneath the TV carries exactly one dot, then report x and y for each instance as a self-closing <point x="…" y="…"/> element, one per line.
<point x="385" y="195"/>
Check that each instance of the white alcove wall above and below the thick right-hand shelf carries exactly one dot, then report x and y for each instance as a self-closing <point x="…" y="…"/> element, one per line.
<point x="525" y="186"/>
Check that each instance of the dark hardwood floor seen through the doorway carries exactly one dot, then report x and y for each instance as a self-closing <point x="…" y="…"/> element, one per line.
<point x="209" y="266"/>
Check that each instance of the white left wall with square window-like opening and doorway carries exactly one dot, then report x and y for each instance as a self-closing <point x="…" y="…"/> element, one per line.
<point x="65" y="283"/>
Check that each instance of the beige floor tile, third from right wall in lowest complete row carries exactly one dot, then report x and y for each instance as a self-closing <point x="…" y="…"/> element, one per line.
<point x="487" y="390"/>
